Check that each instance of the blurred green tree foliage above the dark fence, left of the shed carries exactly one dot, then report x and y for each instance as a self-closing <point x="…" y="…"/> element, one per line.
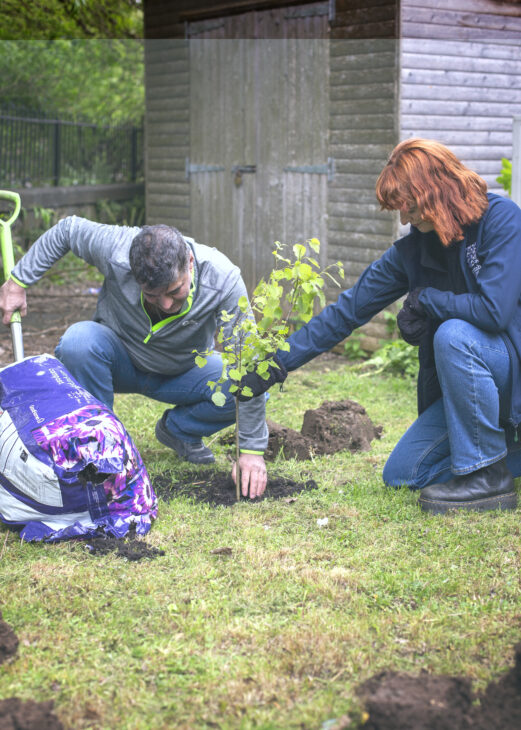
<point x="73" y="59"/>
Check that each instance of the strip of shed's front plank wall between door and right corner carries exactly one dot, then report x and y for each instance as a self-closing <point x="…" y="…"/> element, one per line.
<point x="363" y="130"/>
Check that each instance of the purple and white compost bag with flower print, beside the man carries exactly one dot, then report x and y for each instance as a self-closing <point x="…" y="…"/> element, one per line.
<point x="68" y="467"/>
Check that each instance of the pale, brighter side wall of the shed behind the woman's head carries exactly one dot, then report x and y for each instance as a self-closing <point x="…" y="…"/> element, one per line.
<point x="461" y="78"/>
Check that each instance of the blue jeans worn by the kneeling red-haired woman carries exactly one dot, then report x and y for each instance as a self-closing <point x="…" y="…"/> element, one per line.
<point x="464" y="430"/>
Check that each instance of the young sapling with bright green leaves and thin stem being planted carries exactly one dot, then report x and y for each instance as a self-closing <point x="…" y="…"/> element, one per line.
<point x="250" y="336"/>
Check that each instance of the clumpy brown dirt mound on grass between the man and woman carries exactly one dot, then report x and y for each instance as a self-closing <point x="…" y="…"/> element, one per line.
<point x="334" y="426"/>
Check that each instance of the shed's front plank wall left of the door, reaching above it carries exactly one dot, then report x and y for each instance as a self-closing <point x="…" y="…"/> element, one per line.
<point x="167" y="120"/>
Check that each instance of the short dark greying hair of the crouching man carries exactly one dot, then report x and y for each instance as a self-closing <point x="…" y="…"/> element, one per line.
<point x="158" y="256"/>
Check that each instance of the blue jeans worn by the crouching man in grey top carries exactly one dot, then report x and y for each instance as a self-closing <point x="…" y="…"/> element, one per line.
<point x="96" y="357"/>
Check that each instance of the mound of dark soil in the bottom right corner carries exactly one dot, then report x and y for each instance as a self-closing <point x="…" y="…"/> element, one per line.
<point x="428" y="702"/>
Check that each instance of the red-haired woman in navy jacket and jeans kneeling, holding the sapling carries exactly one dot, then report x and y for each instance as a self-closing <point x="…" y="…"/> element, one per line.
<point x="460" y="266"/>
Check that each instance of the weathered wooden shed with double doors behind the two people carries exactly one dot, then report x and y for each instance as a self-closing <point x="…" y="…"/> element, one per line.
<point x="271" y="119"/>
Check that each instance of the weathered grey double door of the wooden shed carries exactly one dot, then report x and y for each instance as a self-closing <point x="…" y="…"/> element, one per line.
<point x="259" y="110"/>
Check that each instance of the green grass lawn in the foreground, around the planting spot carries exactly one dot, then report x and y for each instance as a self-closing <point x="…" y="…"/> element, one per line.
<point x="279" y="633"/>
